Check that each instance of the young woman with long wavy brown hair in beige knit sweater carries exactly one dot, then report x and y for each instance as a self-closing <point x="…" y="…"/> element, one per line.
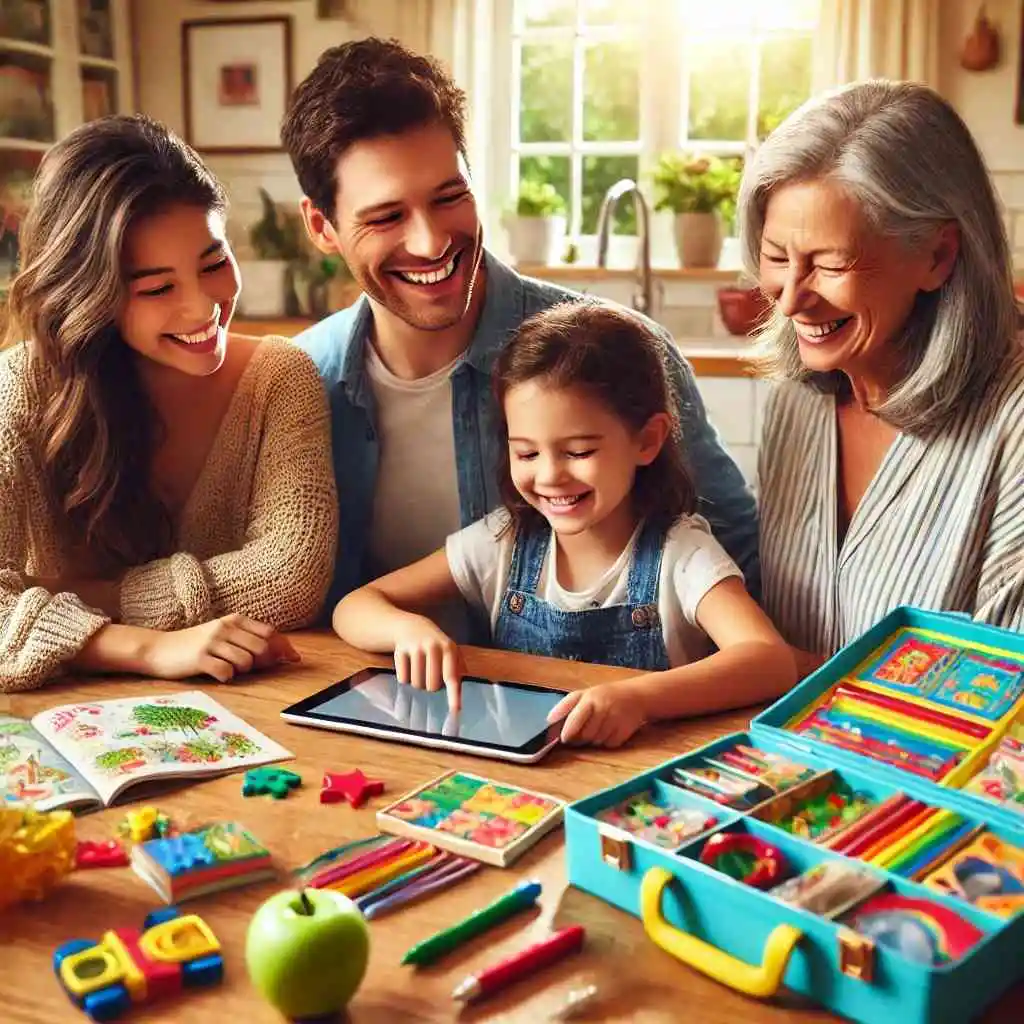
<point x="169" y="502"/>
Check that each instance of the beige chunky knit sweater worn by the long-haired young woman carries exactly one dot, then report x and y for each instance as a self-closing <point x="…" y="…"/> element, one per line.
<point x="257" y="536"/>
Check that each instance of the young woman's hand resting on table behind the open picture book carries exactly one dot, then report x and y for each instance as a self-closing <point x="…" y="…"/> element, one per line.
<point x="222" y="649"/>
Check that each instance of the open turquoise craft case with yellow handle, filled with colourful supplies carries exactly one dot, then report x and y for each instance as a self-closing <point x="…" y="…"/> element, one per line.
<point x="905" y="895"/>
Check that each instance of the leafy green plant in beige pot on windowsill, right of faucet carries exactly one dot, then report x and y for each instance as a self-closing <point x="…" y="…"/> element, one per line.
<point x="701" y="192"/>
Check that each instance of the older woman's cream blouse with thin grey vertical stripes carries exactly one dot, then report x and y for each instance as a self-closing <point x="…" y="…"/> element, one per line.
<point x="942" y="526"/>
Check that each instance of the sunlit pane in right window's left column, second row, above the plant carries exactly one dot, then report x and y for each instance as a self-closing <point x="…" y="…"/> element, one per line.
<point x="720" y="87"/>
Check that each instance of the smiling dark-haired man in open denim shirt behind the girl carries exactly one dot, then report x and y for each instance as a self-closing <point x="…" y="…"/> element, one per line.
<point x="377" y="138"/>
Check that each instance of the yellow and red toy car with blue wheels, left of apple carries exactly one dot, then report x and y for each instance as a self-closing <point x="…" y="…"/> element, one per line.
<point x="129" y="967"/>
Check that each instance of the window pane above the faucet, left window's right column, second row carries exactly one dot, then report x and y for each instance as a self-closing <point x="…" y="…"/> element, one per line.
<point x="612" y="93"/>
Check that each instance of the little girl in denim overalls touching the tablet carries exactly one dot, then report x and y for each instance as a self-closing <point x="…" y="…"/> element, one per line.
<point x="598" y="556"/>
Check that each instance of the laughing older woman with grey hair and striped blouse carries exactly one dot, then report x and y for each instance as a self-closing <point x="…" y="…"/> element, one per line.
<point x="892" y="457"/>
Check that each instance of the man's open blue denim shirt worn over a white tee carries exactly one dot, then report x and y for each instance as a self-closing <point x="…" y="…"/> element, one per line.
<point x="337" y="346"/>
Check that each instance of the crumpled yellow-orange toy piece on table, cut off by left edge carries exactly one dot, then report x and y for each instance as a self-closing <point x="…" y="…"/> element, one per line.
<point x="37" y="849"/>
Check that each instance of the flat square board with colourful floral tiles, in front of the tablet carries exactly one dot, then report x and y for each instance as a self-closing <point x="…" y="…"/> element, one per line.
<point x="474" y="817"/>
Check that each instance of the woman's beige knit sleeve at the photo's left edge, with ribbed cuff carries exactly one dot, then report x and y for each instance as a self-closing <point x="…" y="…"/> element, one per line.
<point x="39" y="631"/>
